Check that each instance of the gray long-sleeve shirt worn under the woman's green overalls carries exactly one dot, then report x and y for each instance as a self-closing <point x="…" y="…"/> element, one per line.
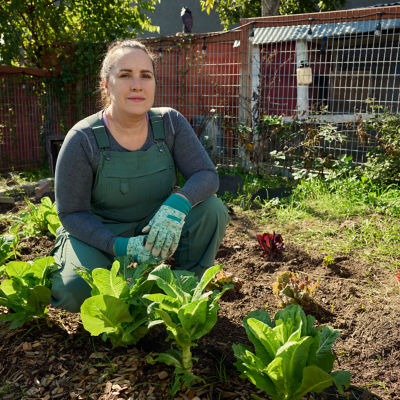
<point x="77" y="165"/>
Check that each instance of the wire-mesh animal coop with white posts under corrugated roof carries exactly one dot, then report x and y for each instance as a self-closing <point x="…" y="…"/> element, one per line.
<point x="325" y="72"/>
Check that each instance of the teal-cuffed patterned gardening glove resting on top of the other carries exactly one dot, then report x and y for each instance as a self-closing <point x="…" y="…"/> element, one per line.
<point x="165" y="227"/>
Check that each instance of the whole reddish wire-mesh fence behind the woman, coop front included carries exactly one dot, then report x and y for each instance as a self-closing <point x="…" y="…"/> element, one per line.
<point x="326" y="73"/>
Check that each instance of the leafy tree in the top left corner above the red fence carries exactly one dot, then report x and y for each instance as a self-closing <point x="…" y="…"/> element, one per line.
<point x="32" y="31"/>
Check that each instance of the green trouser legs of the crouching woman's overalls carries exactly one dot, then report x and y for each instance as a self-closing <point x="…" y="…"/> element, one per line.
<point x="202" y="234"/>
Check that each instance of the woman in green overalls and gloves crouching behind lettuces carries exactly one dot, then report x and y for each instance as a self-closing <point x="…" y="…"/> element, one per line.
<point x="114" y="182"/>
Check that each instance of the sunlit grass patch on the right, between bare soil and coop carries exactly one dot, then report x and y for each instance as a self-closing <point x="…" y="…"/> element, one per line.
<point x="348" y="215"/>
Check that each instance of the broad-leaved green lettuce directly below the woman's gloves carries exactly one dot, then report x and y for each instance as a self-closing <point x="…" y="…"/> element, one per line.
<point x="116" y="309"/>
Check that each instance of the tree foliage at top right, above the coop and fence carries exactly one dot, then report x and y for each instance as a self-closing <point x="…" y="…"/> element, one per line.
<point x="230" y="11"/>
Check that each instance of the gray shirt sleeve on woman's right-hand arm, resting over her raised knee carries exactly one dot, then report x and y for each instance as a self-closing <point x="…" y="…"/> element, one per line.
<point x="191" y="159"/>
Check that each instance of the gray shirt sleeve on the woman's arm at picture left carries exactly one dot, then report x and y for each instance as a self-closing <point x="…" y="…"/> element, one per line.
<point x="74" y="176"/>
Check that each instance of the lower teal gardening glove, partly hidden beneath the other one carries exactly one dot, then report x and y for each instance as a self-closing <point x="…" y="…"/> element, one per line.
<point x="133" y="247"/>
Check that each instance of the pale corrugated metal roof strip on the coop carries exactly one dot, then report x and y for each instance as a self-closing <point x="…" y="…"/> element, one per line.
<point x="277" y="34"/>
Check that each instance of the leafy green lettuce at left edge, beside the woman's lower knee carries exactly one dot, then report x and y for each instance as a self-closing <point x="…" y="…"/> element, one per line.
<point x="26" y="291"/>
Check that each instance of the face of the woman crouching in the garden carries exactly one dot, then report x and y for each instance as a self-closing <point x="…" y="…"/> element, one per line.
<point x="131" y="84"/>
